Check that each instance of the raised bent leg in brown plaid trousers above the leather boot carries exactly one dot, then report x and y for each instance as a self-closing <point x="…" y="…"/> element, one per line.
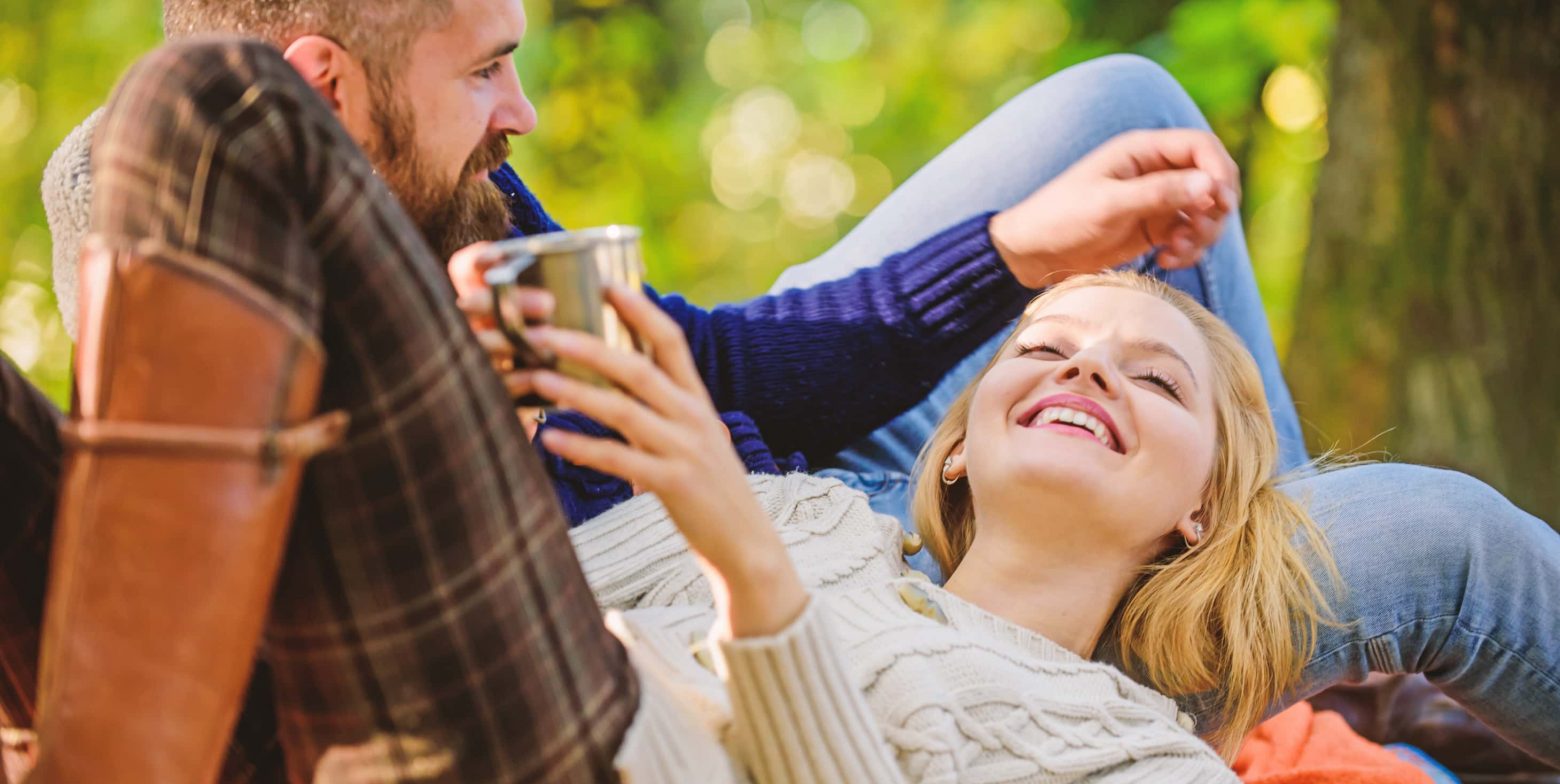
<point x="431" y="621"/>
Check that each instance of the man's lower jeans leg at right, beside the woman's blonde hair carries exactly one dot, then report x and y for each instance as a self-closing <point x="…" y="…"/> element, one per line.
<point x="1448" y="579"/>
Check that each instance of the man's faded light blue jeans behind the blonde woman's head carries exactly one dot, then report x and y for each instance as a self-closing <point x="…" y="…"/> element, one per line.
<point x="1444" y="576"/>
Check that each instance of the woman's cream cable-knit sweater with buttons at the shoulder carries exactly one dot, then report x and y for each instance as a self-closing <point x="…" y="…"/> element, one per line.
<point x="885" y="679"/>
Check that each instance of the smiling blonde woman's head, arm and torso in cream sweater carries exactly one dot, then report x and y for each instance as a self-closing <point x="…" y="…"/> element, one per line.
<point x="1105" y="482"/>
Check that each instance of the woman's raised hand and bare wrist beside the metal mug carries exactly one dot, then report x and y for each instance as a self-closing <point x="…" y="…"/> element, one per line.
<point x="679" y="450"/>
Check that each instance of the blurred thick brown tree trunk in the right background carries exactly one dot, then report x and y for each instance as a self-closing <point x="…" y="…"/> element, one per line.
<point x="1430" y="311"/>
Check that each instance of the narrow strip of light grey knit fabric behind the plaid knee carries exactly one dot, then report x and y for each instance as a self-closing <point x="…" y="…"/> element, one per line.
<point x="68" y="200"/>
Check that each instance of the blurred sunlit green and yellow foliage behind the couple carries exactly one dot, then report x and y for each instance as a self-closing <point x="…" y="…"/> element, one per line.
<point x="743" y="135"/>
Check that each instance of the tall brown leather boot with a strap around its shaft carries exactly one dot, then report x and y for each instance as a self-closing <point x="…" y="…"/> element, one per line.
<point x="196" y="401"/>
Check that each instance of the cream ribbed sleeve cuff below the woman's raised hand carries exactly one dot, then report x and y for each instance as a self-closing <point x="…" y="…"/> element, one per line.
<point x="796" y="713"/>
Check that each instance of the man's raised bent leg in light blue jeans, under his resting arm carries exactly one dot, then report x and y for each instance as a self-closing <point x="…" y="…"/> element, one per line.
<point x="1005" y="158"/>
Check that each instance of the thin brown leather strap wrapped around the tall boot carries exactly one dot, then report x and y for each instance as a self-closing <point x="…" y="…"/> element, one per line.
<point x="292" y="443"/>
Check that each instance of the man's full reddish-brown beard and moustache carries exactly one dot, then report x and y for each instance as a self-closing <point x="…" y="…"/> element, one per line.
<point x="450" y="216"/>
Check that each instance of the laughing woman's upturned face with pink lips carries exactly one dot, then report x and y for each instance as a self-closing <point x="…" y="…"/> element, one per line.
<point x="1101" y="417"/>
